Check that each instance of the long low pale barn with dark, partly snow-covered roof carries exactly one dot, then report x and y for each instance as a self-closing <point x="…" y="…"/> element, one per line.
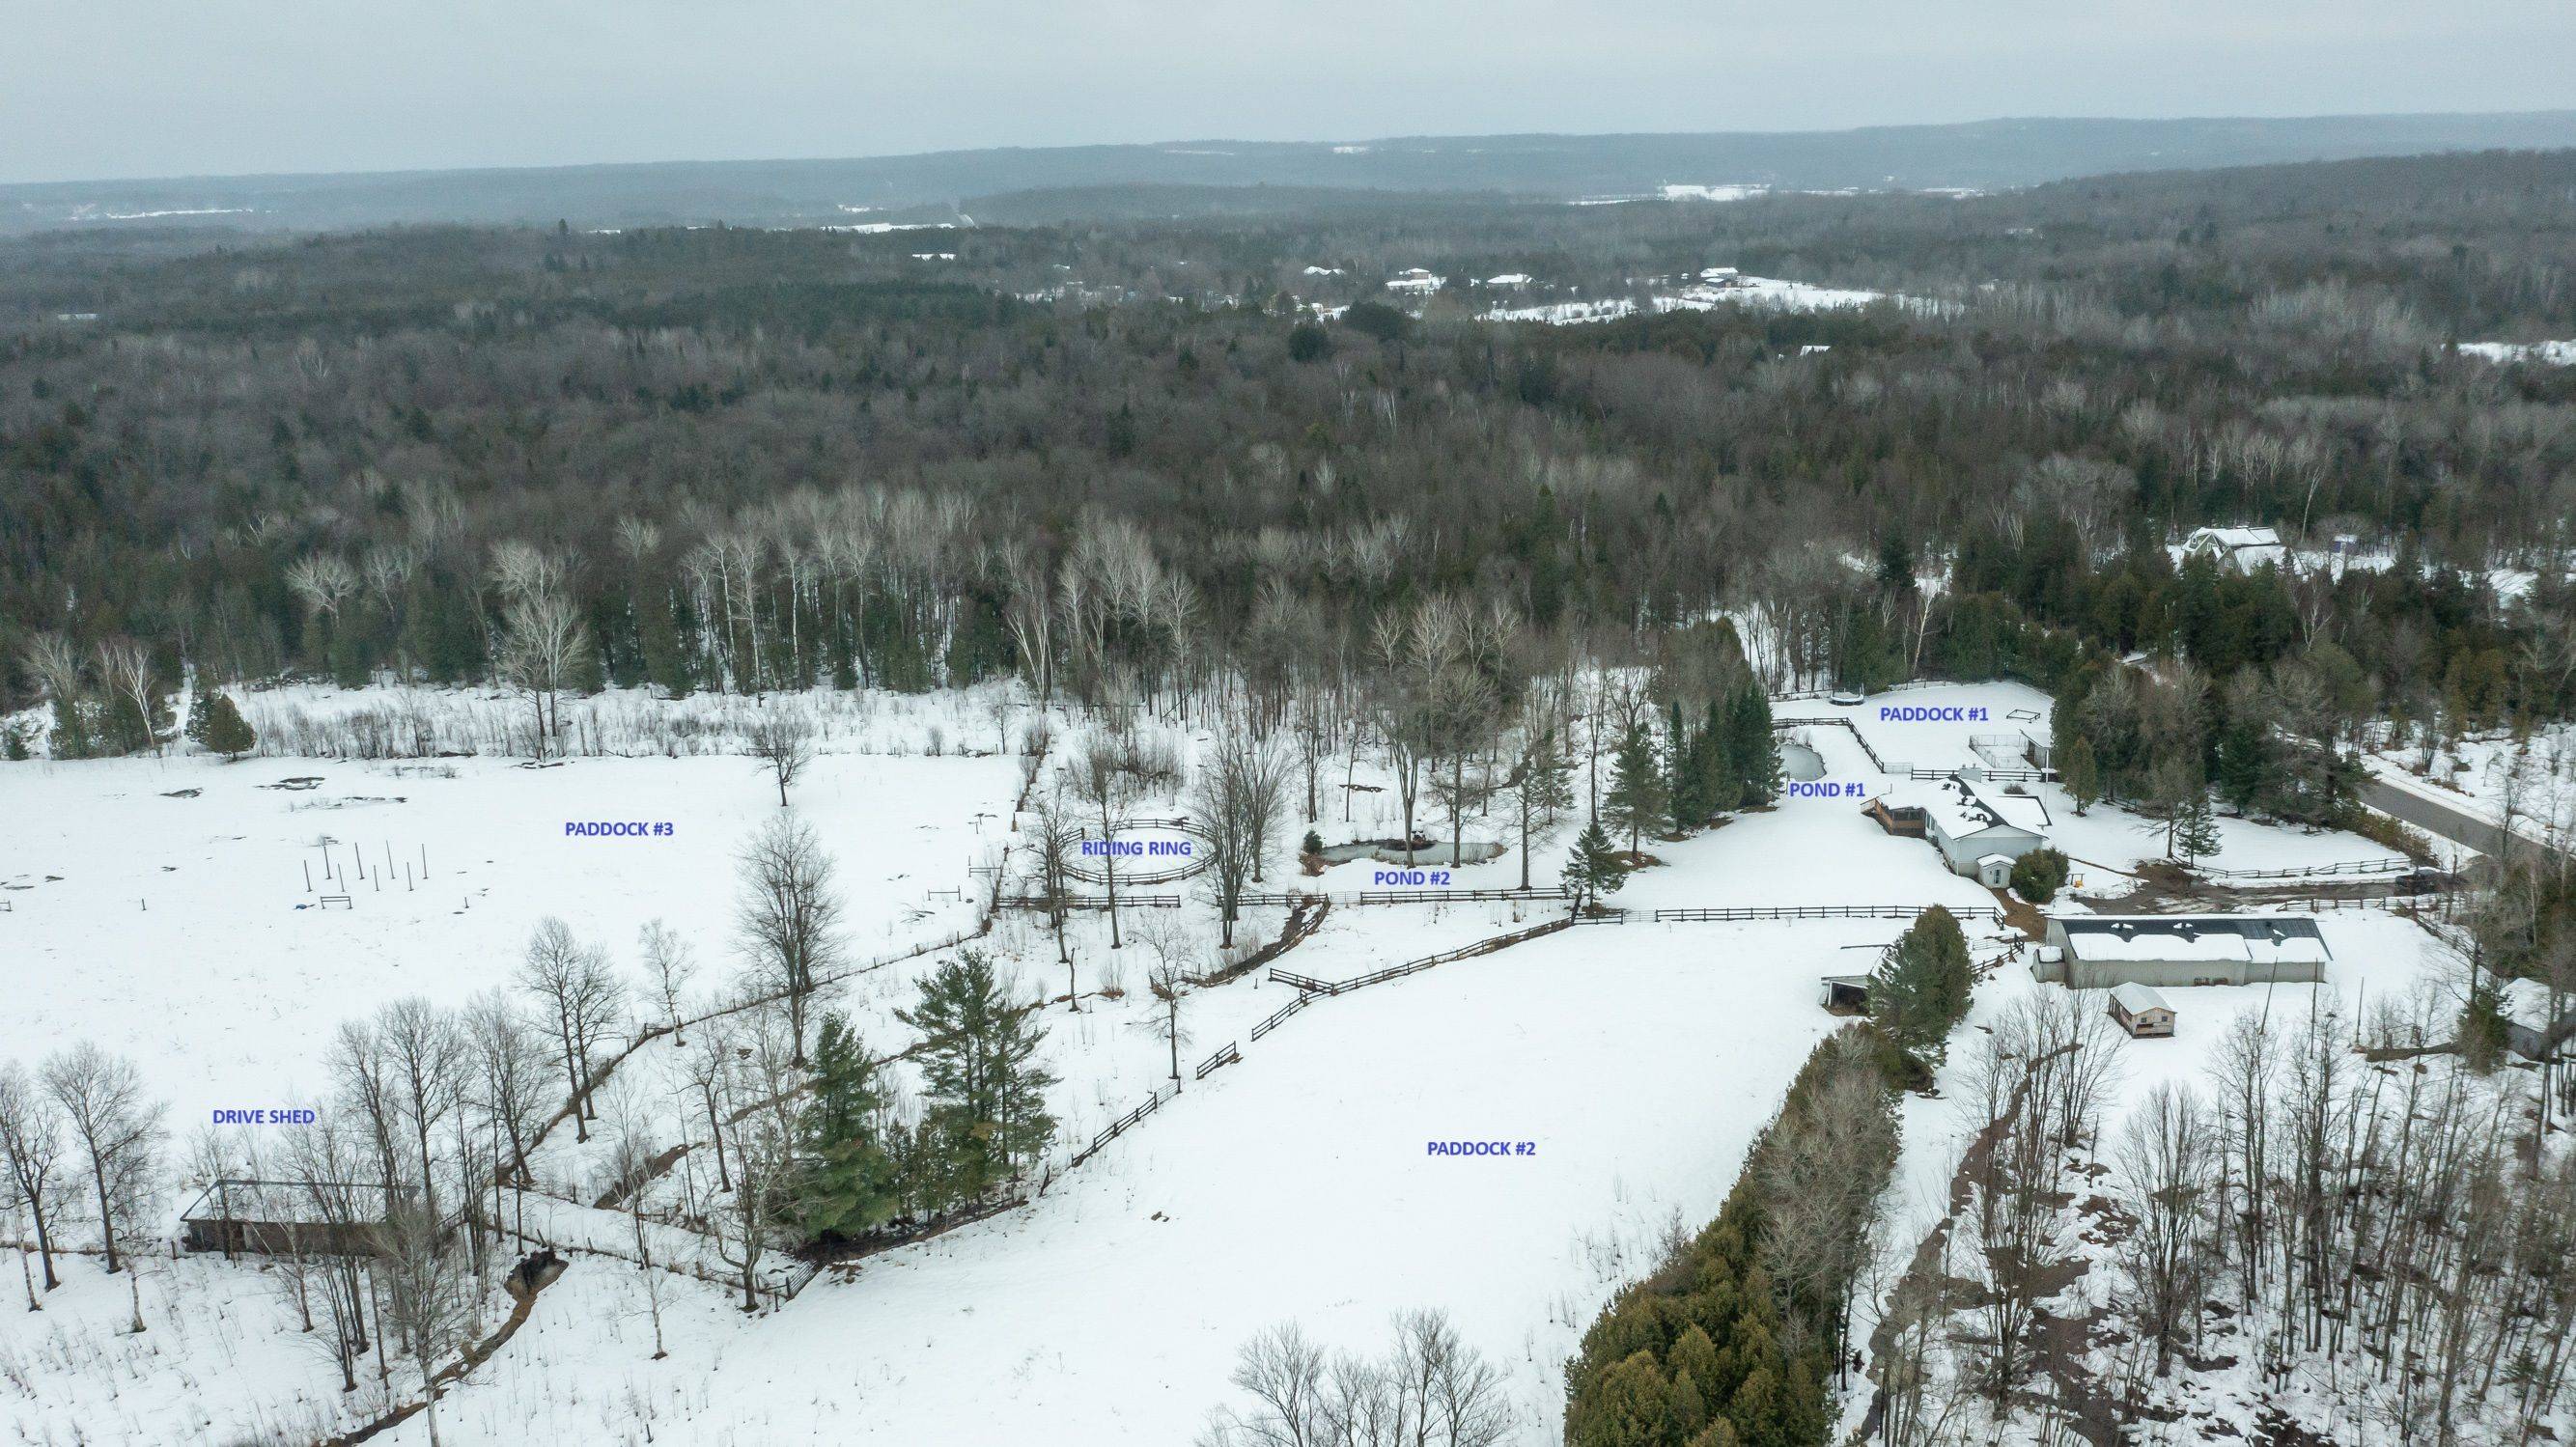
<point x="2106" y="951"/>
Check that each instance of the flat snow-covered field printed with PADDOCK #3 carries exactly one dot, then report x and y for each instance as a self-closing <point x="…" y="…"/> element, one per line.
<point x="171" y="928"/>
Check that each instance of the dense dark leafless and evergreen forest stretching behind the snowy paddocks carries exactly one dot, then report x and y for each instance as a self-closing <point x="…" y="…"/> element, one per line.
<point x="1127" y="454"/>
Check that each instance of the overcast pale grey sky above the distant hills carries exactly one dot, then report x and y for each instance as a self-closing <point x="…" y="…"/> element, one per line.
<point x="125" y="89"/>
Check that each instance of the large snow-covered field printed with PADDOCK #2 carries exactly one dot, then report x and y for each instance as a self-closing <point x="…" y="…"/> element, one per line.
<point x="1297" y="1186"/>
